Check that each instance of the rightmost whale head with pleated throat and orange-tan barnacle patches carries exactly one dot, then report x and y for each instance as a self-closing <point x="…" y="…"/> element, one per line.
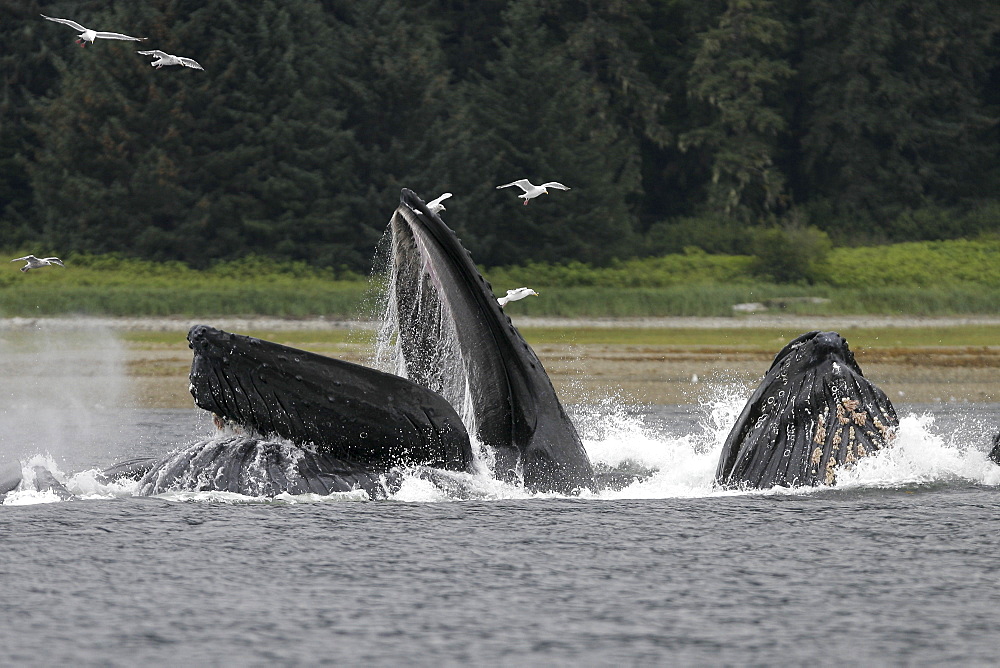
<point x="813" y="412"/>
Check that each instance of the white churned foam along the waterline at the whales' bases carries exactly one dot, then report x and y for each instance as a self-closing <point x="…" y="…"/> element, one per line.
<point x="679" y="465"/>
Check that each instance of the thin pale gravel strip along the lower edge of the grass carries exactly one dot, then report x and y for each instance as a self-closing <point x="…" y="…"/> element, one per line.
<point x="802" y="322"/>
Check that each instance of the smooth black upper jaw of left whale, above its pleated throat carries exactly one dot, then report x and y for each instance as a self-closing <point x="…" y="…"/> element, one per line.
<point x="349" y="411"/>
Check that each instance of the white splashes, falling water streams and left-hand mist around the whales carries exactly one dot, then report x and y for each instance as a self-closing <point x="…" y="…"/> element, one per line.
<point x="78" y="394"/>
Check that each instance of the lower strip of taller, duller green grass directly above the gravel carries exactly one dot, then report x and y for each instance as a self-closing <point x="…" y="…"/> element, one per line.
<point x="351" y="301"/>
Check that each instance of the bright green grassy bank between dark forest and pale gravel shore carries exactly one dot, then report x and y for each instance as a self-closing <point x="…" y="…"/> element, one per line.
<point x="918" y="279"/>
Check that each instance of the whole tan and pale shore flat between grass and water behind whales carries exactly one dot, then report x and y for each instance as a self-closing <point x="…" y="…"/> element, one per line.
<point x="650" y="372"/>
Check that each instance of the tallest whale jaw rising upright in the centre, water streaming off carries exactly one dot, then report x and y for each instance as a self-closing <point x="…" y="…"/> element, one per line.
<point x="439" y="296"/>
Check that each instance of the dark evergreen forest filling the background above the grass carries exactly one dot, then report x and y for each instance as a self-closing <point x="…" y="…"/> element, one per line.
<point x="677" y="123"/>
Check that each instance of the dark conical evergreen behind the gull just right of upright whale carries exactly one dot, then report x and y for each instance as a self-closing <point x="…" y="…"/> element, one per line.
<point x="538" y="115"/>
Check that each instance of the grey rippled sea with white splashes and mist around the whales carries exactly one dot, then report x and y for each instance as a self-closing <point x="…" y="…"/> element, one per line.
<point x="897" y="564"/>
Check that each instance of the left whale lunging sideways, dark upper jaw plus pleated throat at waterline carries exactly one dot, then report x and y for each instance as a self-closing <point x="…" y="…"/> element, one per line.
<point x="345" y="425"/>
